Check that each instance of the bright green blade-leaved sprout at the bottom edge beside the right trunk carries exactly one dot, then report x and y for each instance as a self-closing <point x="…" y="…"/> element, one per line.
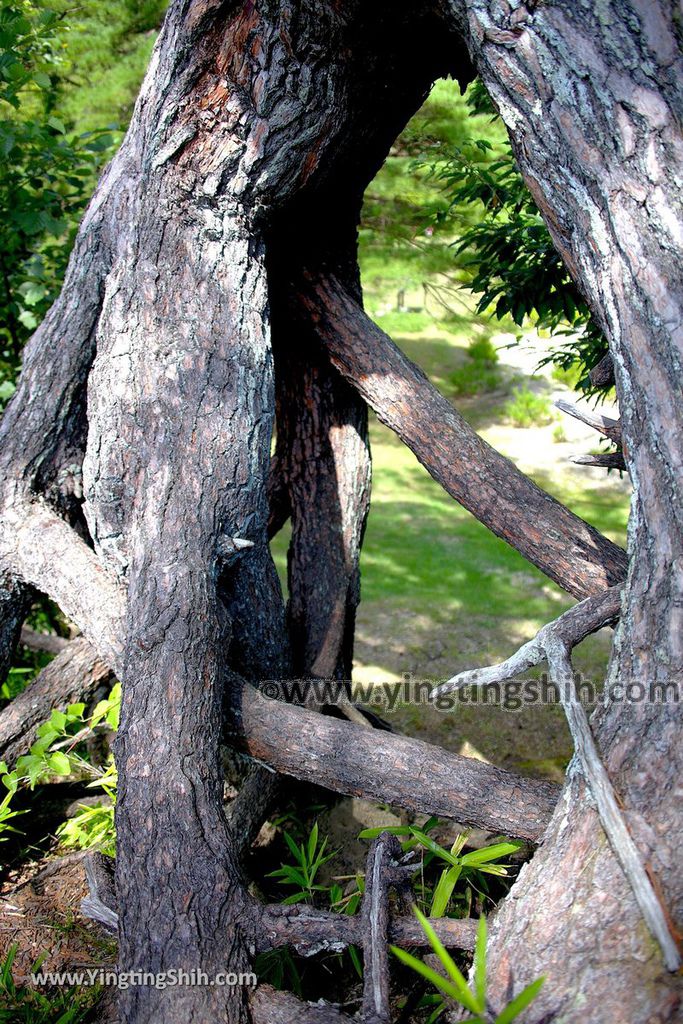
<point x="454" y="987"/>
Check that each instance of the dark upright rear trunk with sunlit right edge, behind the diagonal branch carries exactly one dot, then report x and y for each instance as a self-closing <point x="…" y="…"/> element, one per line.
<point x="324" y="452"/>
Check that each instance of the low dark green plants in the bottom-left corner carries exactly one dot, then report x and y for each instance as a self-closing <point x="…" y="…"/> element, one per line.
<point x="27" y="1005"/>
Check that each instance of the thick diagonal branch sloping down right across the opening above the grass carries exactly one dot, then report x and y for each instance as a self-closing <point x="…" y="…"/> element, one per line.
<point x="562" y="545"/>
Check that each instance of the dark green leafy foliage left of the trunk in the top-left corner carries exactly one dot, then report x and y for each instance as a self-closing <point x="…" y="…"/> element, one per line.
<point x="47" y="176"/>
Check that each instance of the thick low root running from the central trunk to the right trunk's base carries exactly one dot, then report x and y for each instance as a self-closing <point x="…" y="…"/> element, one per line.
<point x="394" y="770"/>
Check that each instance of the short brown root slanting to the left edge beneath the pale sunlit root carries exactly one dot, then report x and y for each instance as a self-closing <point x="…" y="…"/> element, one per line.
<point x="75" y="675"/>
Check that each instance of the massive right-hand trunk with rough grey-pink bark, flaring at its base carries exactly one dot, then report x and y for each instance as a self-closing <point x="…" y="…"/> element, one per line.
<point x="592" y="95"/>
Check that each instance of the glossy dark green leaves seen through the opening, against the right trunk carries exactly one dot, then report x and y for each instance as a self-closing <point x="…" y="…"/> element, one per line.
<point x="508" y="253"/>
